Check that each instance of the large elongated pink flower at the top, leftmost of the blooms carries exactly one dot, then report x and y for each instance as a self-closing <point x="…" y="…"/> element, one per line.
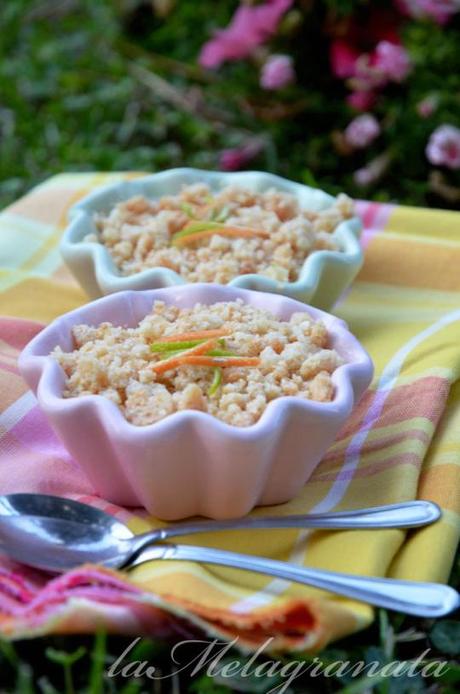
<point x="250" y="26"/>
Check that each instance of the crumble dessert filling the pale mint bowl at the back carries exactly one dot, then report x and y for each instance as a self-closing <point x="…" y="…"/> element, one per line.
<point x="208" y="236"/>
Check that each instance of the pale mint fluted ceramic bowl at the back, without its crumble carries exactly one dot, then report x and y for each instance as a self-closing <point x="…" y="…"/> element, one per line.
<point x="324" y="275"/>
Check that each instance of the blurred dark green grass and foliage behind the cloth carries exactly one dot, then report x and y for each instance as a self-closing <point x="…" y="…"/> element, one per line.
<point x="117" y="85"/>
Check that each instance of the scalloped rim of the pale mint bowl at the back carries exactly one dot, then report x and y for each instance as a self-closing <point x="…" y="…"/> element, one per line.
<point x="107" y="274"/>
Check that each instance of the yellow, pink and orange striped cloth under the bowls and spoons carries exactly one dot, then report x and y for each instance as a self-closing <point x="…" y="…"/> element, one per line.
<point x="402" y="442"/>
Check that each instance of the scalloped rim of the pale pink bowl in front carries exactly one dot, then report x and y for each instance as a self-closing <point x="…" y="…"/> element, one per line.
<point x="49" y="390"/>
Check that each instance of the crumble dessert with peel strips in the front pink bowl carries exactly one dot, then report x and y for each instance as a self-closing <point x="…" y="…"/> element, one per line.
<point x="229" y="359"/>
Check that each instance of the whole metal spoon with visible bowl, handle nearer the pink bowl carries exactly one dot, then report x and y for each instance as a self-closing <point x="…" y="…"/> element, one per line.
<point x="56" y="534"/>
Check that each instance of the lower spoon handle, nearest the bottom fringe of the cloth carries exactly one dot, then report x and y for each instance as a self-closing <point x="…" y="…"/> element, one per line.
<point x="411" y="597"/>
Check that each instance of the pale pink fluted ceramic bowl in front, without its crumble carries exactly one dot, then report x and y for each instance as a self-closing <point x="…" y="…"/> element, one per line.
<point x="191" y="463"/>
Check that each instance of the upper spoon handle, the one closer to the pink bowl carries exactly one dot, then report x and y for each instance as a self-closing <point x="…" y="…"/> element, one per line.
<point x="404" y="515"/>
